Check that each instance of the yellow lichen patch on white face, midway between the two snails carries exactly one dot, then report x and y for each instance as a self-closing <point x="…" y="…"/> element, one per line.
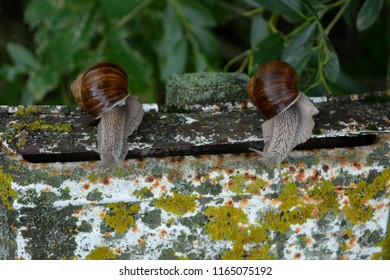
<point x="178" y="204"/>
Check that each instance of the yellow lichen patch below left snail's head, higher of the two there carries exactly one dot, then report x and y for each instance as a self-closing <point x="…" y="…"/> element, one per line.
<point x="121" y="217"/>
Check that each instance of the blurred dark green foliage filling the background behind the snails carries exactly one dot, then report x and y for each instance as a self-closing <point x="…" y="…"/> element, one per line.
<point x="45" y="46"/>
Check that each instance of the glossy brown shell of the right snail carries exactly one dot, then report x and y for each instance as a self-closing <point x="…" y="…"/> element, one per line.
<point x="273" y="88"/>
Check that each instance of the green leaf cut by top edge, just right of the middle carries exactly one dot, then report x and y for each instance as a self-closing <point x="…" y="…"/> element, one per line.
<point x="197" y="13"/>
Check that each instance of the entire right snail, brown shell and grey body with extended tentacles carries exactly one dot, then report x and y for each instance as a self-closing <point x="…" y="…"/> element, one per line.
<point x="289" y="112"/>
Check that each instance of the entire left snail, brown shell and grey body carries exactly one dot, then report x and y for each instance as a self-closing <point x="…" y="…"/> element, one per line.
<point x="102" y="92"/>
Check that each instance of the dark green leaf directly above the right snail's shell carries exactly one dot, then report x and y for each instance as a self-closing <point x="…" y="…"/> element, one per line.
<point x="269" y="49"/>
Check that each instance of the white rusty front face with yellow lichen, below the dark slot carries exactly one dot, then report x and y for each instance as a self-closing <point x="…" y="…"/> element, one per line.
<point x="334" y="205"/>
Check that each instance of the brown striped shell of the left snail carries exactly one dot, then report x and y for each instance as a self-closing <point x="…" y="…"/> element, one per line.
<point x="101" y="87"/>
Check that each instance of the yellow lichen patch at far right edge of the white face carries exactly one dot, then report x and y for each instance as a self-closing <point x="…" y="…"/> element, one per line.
<point x="358" y="211"/>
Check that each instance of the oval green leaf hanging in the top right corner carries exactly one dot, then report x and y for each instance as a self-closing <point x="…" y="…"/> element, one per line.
<point x="368" y="13"/>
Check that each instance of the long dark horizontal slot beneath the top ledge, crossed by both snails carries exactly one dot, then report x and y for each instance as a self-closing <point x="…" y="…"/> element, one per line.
<point x="185" y="150"/>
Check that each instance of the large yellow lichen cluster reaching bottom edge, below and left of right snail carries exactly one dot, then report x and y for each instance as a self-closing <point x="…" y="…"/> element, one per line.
<point x="230" y="223"/>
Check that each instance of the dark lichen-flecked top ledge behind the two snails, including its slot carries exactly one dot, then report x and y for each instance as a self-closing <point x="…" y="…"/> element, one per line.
<point x="51" y="133"/>
